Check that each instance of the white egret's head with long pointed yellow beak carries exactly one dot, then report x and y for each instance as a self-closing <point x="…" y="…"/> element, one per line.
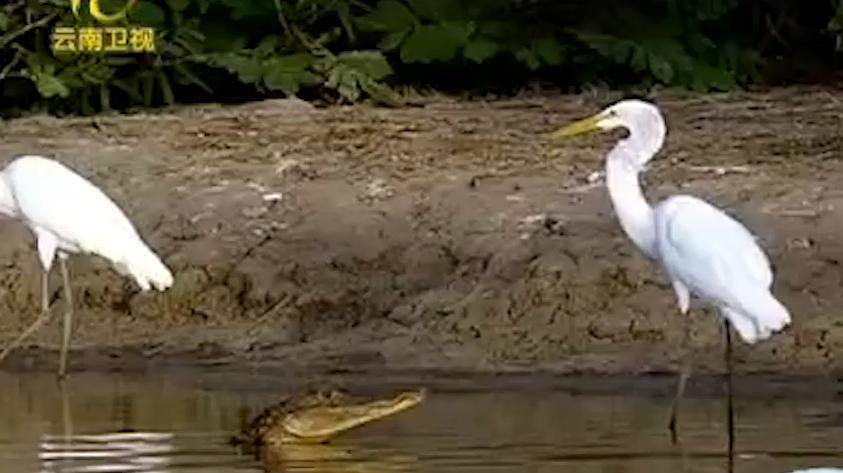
<point x="643" y="120"/>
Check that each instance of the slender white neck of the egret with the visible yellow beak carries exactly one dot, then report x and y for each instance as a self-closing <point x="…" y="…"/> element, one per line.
<point x="633" y="210"/>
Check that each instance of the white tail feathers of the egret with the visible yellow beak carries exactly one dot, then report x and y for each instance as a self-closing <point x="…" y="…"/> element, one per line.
<point x="758" y="317"/>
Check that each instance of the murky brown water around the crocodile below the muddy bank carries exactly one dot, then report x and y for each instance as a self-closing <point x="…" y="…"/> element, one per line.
<point x="110" y="424"/>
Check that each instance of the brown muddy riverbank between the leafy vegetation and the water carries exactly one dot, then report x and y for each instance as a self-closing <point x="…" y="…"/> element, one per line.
<point x="448" y="236"/>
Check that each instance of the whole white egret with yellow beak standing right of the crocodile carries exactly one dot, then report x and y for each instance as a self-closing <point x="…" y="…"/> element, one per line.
<point x="703" y="250"/>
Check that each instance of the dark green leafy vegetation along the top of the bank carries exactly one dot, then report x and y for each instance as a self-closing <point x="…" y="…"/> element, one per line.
<point x="347" y="50"/>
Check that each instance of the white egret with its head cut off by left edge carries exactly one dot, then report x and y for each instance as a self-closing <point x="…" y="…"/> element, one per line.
<point x="68" y="214"/>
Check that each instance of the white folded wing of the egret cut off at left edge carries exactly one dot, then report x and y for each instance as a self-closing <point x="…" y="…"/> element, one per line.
<point x="54" y="198"/>
